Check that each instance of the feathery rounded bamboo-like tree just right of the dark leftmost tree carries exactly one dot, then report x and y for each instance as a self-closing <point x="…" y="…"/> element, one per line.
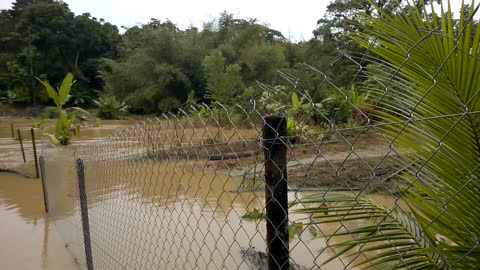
<point x="150" y="74"/>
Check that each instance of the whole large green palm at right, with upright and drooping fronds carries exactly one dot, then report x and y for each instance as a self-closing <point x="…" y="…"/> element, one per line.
<point x="436" y="60"/>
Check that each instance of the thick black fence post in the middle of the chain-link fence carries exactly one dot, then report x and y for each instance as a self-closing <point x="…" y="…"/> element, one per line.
<point x="276" y="191"/>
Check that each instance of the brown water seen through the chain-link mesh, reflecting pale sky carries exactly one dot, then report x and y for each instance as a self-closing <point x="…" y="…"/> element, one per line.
<point x="170" y="214"/>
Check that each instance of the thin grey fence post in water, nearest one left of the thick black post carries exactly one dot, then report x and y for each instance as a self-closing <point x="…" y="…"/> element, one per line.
<point x="84" y="209"/>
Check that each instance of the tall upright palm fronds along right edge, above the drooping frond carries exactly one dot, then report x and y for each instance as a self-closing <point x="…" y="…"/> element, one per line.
<point x="441" y="69"/>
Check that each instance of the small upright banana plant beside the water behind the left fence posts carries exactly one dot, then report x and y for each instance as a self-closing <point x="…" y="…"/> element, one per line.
<point x="67" y="124"/>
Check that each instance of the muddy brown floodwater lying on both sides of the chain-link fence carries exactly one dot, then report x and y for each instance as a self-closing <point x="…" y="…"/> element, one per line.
<point x="172" y="215"/>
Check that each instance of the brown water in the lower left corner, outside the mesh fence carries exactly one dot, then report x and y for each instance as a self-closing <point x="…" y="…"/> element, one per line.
<point x="28" y="239"/>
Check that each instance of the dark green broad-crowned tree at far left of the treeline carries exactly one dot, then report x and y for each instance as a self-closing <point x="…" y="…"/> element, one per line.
<point x="46" y="39"/>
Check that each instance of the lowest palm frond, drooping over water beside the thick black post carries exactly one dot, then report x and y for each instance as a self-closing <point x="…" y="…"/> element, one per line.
<point x="392" y="232"/>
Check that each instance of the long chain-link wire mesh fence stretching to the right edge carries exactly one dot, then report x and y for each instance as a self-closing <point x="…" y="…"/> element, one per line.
<point x="381" y="172"/>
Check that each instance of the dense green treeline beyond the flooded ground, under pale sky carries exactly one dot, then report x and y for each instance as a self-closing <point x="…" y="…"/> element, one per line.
<point x="158" y="67"/>
